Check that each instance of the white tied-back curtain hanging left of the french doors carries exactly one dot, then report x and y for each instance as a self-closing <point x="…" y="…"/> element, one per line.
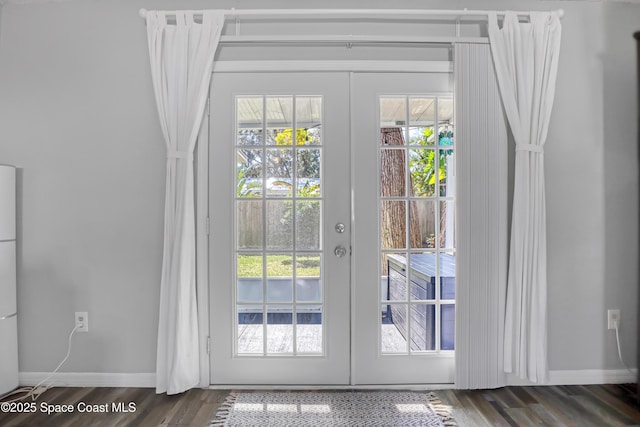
<point x="181" y="51"/>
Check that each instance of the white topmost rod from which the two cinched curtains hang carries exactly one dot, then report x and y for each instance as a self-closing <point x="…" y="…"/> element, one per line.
<point x="362" y="13"/>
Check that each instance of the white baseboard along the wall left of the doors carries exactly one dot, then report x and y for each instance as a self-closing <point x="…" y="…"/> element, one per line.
<point x="89" y="379"/>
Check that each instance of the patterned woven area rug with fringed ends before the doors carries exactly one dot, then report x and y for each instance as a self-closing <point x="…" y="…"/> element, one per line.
<point x="333" y="408"/>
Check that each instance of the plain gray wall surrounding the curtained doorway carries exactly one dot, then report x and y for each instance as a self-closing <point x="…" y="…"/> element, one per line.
<point x="77" y="115"/>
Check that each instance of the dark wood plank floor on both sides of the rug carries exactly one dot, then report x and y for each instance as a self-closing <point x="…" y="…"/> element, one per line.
<point x="580" y="406"/>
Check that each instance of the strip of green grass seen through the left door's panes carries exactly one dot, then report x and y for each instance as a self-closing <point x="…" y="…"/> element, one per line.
<point x="278" y="266"/>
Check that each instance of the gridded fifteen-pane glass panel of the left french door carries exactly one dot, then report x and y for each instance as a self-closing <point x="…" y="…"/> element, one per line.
<point x="279" y="285"/>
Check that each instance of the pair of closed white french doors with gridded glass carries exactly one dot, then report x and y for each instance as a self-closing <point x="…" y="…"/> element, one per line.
<point x="332" y="245"/>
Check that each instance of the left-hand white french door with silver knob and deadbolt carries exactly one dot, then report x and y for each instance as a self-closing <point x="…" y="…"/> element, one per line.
<point x="279" y="185"/>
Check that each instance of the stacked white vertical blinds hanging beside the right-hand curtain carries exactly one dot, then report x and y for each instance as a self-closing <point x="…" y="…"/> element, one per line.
<point x="481" y="140"/>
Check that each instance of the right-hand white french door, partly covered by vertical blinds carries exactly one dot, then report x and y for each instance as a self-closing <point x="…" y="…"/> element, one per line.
<point x="404" y="230"/>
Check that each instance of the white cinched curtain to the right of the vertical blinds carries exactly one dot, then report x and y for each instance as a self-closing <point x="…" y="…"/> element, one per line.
<point x="526" y="62"/>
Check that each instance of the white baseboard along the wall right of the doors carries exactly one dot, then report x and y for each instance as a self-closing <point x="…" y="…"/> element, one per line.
<point x="583" y="377"/>
